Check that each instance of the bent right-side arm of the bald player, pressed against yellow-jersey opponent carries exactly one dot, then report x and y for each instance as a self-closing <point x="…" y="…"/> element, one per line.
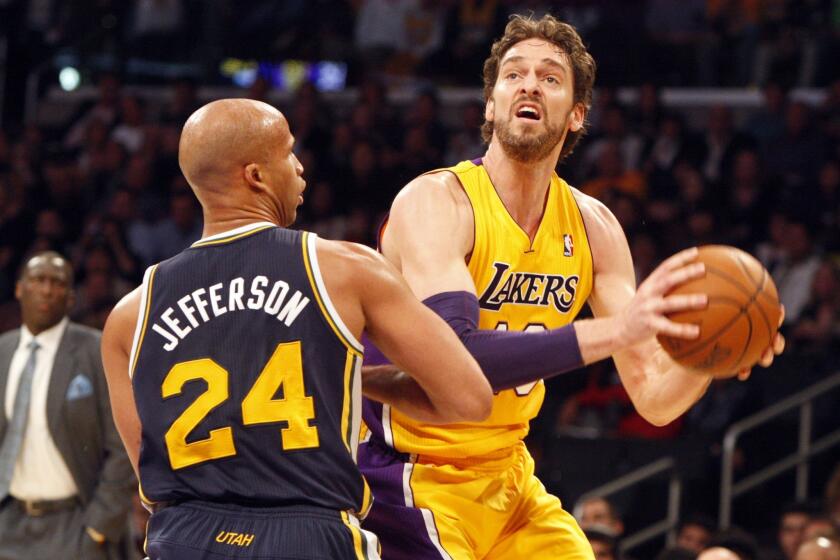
<point x="370" y="294"/>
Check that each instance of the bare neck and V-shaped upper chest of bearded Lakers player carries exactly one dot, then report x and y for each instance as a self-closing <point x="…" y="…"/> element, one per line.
<point x="522" y="186"/>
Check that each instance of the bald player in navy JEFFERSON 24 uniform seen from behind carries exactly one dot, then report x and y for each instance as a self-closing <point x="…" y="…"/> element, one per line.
<point x="235" y="369"/>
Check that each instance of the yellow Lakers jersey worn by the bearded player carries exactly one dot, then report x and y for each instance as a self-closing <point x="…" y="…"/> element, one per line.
<point x="521" y="285"/>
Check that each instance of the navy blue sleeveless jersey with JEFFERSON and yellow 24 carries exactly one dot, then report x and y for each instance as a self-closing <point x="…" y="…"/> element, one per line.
<point x="246" y="381"/>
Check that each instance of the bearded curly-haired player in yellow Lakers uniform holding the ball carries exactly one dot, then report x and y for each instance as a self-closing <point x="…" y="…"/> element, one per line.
<point x="503" y="244"/>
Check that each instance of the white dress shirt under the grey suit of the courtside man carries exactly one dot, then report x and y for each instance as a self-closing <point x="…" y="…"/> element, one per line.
<point x="40" y="471"/>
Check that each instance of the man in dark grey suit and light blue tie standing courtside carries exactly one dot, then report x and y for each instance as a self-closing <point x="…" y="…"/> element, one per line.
<point x="65" y="480"/>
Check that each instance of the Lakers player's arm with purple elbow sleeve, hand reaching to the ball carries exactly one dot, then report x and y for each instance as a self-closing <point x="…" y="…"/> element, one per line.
<point x="430" y="235"/>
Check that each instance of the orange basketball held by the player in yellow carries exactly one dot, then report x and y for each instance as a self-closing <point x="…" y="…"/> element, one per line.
<point x="740" y="321"/>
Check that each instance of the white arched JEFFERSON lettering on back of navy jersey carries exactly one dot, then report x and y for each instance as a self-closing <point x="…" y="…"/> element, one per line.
<point x="205" y="304"/>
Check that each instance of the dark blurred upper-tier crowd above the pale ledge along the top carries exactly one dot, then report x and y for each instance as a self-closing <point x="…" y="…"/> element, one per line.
<point x="686" y="43"/>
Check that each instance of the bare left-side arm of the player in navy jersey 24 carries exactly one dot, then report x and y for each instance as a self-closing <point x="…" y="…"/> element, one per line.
<point x="117" y="337"/>
